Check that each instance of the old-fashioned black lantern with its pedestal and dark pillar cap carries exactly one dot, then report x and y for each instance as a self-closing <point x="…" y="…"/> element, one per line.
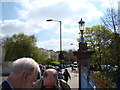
<point x="83" y="55"/>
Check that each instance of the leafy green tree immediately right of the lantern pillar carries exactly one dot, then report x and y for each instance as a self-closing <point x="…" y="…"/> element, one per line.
<point x="98" y="39"/>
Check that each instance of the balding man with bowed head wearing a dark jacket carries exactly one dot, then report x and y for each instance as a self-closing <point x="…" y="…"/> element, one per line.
<point x="49" y="81"/>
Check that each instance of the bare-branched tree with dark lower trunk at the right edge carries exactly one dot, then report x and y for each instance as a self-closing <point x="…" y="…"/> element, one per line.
<point x="110" y="21"/>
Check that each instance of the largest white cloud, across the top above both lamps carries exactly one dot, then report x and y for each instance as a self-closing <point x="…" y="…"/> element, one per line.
<point x="60" y="9"/>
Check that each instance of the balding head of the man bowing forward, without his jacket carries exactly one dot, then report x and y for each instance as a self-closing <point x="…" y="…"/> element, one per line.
<point x="50" y="78"/>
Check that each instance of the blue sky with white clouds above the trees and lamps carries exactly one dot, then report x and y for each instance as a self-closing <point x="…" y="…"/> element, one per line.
<point x="29" y="17"/>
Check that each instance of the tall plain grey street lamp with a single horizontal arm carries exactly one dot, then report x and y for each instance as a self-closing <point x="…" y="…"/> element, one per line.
<point x="60" y="55"/>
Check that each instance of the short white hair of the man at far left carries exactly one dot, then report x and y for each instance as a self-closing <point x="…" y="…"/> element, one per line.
<point x="25" y="64"/>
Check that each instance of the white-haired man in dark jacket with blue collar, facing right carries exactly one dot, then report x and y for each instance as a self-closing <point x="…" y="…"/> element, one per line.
<point x="24" y="73"/>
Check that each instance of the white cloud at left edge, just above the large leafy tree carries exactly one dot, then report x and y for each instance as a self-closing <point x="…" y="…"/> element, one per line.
<point x="10" y="27"/>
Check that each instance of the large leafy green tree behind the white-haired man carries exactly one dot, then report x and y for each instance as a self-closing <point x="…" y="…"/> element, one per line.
<point x="22" y="45"/>
